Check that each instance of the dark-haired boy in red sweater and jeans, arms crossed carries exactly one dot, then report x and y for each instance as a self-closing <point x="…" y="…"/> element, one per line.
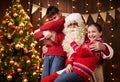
<point x="54" y="58"/>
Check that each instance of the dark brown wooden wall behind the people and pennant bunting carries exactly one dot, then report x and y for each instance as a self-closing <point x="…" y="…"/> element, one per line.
<point x="111" y="67"/>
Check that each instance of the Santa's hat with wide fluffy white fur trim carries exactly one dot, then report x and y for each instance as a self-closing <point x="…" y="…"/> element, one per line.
<point x="74" y="17"/>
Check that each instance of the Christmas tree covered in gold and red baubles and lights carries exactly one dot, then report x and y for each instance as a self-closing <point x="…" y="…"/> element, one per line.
<point x="19" y="58"/>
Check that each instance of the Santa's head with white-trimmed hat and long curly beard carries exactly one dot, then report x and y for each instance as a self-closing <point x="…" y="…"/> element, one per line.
<point x="75" y="29"/>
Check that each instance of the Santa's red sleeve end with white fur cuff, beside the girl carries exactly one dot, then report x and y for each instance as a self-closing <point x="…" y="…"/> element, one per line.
<point x="108" y="53"/>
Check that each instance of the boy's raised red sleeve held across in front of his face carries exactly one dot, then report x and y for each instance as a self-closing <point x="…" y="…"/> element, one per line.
<point x="54" y="25"/>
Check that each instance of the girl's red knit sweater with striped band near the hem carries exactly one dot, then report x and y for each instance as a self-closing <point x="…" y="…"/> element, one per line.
<point x="83" y="60"/>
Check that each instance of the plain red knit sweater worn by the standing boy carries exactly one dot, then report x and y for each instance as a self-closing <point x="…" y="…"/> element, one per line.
<point x="56" y="49"/>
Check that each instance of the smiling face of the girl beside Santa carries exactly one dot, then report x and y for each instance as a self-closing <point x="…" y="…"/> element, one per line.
<point x="93" y="33"/>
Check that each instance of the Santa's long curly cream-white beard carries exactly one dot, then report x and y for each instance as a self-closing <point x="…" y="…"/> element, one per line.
<point x="76" y="34"/>
